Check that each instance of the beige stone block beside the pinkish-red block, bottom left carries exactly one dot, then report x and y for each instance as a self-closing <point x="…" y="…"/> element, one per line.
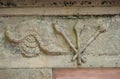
<point x="25" y="73"/>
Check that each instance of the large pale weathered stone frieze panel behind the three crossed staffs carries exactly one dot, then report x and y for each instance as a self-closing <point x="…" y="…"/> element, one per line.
<point x="37" y="41"/>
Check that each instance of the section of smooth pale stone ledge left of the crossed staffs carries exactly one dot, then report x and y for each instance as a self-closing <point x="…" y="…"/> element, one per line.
<point x="37" y="62"/>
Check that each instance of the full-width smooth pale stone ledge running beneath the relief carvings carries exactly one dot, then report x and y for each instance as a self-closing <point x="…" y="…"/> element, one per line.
<point x="60" y="61"/>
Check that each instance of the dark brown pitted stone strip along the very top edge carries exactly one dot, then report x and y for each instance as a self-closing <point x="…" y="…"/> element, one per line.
<point x="58" y="3"/>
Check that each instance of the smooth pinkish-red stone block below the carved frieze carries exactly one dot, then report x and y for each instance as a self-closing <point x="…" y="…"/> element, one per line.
<point x="109" y="73"/>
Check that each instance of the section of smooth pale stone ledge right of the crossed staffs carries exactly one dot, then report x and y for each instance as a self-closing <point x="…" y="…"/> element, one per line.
<point x="101" y="61"/>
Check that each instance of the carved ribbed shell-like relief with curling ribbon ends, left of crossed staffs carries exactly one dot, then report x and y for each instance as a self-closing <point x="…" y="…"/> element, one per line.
<point x="28" y="42"/>
